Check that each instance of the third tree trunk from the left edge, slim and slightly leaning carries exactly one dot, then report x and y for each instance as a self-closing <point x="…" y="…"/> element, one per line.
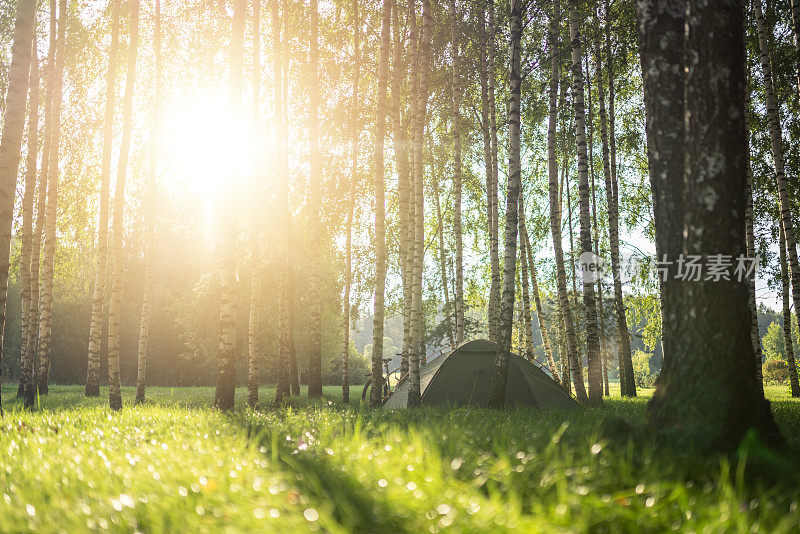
<point x="36" y="242"/>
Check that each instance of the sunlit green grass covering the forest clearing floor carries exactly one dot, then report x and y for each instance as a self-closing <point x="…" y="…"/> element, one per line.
<point x="176" y="465"/>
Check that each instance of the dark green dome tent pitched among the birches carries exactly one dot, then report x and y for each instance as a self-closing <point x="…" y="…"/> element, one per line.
<point x="462" y="377"/>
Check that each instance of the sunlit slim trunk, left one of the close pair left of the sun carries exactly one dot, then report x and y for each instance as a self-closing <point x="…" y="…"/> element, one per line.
<point x="99" y="294"/>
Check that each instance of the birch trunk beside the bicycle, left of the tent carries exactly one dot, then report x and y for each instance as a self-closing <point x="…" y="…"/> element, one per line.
<point x="376" y="392"/>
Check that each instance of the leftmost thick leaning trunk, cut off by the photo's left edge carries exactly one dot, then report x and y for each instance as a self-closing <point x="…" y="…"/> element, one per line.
<point x="11" y="141"/>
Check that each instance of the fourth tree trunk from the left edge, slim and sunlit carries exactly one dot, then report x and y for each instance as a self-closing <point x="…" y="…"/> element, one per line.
<point x="49" y="249"/>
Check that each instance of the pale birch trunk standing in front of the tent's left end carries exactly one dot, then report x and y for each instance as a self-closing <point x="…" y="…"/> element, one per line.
<point x="417" y="325"/>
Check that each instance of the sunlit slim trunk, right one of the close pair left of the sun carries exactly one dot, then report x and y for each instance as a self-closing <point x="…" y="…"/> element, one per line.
<point x="114" y="310"/>
